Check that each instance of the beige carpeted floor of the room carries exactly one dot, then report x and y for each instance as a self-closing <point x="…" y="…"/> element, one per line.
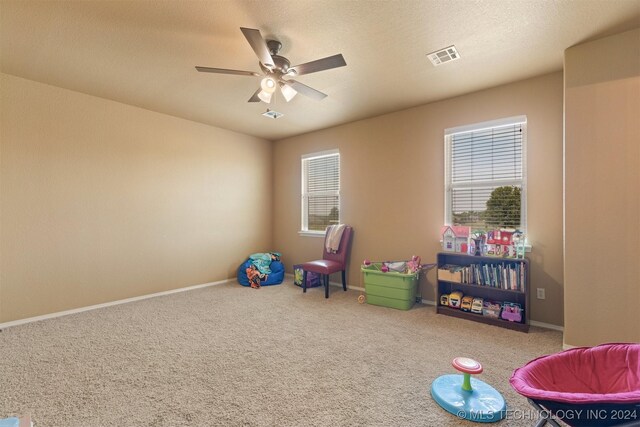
<point x="230" y="356"/>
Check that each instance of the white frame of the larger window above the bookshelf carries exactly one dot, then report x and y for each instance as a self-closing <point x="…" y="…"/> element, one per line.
<point x="449" y="186"/>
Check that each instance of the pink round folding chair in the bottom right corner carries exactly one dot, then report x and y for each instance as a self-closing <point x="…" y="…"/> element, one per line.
<point x="587" y="386"/>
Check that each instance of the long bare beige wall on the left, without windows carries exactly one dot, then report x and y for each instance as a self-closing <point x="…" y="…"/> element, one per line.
<point x="101" y="201"/>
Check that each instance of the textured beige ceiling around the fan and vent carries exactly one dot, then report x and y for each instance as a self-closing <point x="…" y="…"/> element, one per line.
<point x="143" y="53"/>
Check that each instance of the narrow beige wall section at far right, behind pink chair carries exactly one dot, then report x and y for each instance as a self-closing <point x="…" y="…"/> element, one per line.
<point x="602" y="187"/>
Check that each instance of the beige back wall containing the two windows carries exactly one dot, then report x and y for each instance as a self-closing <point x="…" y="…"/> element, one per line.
<point x="392" y="181"/>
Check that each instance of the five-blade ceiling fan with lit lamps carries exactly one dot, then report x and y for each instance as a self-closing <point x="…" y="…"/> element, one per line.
<point x="276" y="70"/>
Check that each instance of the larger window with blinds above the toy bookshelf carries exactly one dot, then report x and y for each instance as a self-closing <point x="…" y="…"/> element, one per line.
<point x="485" y="174"/>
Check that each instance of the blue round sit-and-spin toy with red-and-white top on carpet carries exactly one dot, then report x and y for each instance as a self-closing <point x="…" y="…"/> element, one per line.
<point x="466" y="397"/>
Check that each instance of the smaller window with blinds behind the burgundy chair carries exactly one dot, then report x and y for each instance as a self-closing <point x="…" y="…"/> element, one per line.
<point x="320" y="190"/>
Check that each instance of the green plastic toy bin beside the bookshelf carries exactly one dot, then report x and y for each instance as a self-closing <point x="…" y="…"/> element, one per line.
<point x="391" y="289"/>
